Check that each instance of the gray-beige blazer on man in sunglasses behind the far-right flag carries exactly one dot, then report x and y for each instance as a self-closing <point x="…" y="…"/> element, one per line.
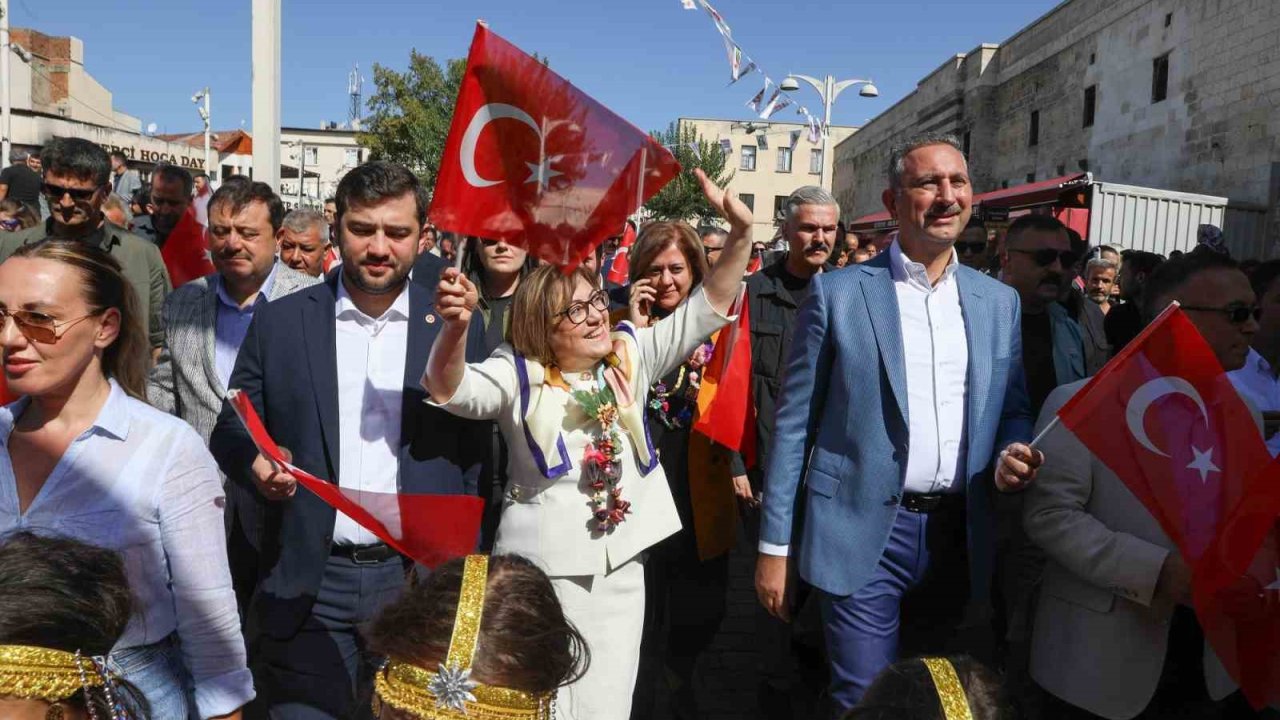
<point x="1101" y="634"/>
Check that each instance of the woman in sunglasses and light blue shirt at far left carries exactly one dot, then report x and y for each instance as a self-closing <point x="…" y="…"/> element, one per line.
<point x="85" y="457"/>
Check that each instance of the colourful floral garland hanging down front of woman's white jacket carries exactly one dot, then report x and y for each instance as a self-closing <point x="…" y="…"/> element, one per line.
<point x="602" y="464"/>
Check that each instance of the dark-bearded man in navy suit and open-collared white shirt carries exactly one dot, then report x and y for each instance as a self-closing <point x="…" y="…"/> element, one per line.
<point x="336" y="373"/>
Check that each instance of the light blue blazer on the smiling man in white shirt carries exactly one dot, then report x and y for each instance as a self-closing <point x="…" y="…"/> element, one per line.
<point x="842" y="436"/>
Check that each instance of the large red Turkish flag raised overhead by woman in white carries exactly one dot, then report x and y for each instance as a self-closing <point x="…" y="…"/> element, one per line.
<point x="533" y="161"/>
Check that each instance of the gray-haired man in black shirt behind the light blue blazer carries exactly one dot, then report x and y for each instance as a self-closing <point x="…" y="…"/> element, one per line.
<point x="775" y="295"/>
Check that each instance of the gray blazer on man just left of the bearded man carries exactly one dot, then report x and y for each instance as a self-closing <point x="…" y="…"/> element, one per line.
<point x="185" y="381"/>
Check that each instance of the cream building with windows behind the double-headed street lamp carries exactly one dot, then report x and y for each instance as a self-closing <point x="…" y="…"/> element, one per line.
<point x="767" y="163"/>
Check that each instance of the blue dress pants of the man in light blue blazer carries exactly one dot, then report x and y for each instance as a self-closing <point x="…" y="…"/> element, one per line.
<point x="913" y="604"/>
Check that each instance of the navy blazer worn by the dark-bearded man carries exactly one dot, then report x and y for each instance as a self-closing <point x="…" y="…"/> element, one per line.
<point x="287" y="366"/>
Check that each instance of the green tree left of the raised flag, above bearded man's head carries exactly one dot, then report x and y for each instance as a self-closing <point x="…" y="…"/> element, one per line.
<point x="410" y="113"/>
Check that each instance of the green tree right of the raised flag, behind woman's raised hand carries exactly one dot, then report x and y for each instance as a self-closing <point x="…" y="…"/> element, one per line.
<point x="683" y="198"/>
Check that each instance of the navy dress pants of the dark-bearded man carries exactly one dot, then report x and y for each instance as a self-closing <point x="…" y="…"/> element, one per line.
<point x="324" y="672"/>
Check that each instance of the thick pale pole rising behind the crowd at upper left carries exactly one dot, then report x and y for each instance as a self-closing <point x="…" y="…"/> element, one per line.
<point x="267" y="93"/>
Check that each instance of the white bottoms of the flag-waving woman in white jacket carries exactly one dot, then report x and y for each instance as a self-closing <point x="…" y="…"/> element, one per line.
<point x="609" y="612"/>
